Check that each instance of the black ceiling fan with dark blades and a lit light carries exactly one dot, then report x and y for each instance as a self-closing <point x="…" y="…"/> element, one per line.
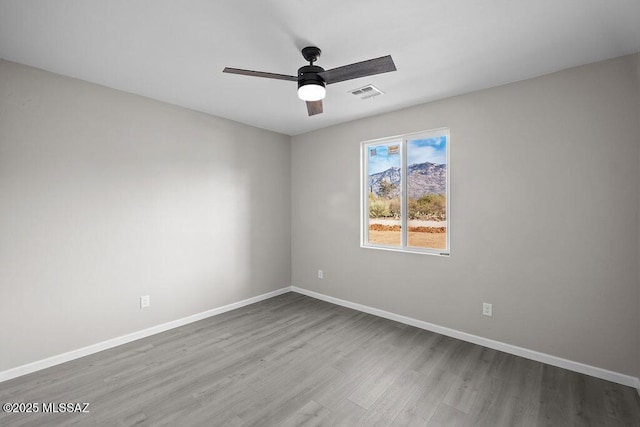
<point x="312" y="78"/>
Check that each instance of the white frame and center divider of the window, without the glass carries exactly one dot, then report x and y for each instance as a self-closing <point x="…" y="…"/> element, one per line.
<point x="364" y="192"/>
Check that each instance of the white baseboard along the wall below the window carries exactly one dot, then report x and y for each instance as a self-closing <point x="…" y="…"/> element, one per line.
<point x="485" y="342"/>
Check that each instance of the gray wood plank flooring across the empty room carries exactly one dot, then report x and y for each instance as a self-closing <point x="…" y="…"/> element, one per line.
<point x="297" y="361"/>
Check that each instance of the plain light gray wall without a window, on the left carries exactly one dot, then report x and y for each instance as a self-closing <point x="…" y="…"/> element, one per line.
<point x="107" y="196"/>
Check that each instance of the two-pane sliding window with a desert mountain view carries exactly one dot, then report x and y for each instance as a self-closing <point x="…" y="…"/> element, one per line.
<point x="405" y="193"/>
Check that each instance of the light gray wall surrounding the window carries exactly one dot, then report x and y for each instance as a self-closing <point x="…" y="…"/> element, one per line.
<point x="544" y="221"/>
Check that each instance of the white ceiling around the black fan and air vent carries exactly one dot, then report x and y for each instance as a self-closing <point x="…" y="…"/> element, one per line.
<point x="175" y="50"/>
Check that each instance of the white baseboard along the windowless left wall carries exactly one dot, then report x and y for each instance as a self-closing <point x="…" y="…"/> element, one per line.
<point x="85" y="351"/>
